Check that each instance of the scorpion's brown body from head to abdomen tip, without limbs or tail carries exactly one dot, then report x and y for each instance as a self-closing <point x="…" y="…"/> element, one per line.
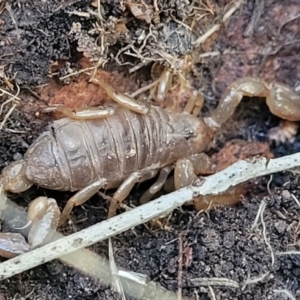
<point x="74" y="154"/>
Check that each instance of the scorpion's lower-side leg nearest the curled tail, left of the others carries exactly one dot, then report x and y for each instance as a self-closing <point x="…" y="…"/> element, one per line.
<point x="81" y="197"/>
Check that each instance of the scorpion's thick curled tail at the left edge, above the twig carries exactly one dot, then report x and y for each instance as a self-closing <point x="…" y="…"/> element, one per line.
<point x="43" y="214"/>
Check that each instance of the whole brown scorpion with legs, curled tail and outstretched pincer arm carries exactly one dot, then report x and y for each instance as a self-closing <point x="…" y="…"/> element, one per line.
<point x="106" y="148"/>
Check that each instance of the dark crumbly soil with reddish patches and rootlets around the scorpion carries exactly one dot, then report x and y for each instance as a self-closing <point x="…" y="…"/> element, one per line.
<point x="43" y="42"/>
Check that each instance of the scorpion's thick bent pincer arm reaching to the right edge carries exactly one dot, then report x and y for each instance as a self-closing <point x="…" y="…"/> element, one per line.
<point x="281" y="100"/>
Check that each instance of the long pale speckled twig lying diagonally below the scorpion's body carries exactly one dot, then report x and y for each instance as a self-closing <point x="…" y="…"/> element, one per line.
<point x="239" y="172"/>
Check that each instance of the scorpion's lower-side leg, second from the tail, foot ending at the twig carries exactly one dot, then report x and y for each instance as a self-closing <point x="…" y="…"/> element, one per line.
<point x="127" y="185"/>
